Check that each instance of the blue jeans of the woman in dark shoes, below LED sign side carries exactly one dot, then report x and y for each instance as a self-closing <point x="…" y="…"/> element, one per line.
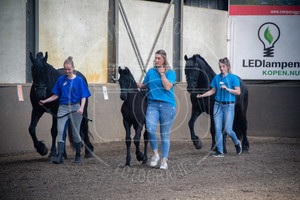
<point x="224" y="114"/>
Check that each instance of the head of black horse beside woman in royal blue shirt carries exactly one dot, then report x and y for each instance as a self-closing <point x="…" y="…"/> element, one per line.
<point x="39" y="74"/>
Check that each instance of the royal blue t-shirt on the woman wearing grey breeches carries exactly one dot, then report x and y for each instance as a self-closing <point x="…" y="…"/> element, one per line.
<point x="70" y="90"/>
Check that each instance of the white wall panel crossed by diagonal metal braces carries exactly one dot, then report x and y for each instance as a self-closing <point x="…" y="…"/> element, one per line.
<point x="145" y="19"/>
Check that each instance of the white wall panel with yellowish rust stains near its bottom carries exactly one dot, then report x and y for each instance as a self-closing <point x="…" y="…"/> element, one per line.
<point x="75" y="28"/>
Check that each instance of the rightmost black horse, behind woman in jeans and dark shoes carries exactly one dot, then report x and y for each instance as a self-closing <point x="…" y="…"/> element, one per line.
<point x="199" y="76"/>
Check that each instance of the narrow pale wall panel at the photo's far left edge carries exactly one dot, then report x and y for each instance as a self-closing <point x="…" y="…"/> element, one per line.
<point x="12" y="41"/>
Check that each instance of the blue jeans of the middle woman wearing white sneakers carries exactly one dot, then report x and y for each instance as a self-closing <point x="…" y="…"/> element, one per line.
<point x="165" y="114"/>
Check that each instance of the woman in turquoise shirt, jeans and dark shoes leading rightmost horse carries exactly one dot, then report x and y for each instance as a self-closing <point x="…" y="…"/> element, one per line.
<point x="226" y="86"/>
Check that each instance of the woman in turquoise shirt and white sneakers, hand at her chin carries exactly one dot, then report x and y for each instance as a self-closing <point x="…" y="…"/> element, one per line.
<point x="161" y="106"/>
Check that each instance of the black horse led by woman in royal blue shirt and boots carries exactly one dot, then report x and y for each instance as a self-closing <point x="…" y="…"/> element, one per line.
<point x="44" y="78"/>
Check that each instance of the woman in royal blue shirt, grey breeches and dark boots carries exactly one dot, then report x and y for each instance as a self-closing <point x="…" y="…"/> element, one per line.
<point x="72" y="92"/>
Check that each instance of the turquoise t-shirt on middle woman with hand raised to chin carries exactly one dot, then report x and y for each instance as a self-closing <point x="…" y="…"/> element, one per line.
<point x="156" y="88"/>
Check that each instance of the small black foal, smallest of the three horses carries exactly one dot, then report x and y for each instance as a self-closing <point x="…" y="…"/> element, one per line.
<point x="134" y="113"/>
